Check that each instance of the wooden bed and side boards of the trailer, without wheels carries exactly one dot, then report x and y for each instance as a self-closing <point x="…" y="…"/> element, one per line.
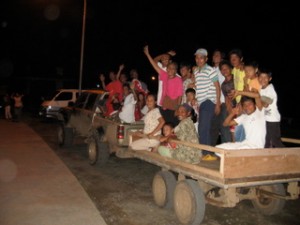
<point x="235" y="168"/>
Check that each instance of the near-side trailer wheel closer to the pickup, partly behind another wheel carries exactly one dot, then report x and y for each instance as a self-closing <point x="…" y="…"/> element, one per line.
<point x="163" y="186"/>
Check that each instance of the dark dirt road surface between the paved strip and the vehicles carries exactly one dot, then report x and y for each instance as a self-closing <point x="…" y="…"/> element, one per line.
<point x="121" y="190"/>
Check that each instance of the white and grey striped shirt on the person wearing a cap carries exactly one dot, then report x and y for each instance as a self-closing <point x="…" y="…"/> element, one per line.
<point x="205" y="88"/>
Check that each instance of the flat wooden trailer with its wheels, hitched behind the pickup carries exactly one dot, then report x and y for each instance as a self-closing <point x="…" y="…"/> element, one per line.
<point x="268" y="177"/>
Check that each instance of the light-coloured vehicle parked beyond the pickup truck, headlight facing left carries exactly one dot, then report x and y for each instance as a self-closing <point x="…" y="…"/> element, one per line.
<point x="63" y="97"/>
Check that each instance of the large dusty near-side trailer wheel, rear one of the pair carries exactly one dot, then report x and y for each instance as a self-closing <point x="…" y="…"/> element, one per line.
<point x="189" y="202"/>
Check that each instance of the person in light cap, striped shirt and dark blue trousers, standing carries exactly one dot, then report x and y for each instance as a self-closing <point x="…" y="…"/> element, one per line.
<point x="208" y="97"/>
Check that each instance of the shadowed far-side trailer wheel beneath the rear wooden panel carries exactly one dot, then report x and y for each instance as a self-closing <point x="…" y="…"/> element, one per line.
<point x="269" y="205"/>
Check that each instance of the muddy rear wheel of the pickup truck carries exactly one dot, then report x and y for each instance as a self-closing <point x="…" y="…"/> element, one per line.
<point x="97" y="151"/>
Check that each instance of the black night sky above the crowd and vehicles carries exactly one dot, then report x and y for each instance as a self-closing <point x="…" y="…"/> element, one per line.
<point x="42" y="38"/>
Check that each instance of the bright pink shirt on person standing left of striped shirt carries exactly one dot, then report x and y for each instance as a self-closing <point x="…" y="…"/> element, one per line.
<point x="171" y="87"/>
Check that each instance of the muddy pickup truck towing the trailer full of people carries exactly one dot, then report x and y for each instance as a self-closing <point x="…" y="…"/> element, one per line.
<point x="103" y="135"/>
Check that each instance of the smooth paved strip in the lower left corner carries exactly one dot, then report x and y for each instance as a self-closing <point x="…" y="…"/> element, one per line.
<point x="36" y="187"/>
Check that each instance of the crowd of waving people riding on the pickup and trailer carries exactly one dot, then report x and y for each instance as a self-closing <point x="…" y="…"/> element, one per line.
<point x="229" y="104"/>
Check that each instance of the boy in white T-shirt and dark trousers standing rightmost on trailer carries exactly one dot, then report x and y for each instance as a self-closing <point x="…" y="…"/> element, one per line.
<point x="272" y="115"/>
